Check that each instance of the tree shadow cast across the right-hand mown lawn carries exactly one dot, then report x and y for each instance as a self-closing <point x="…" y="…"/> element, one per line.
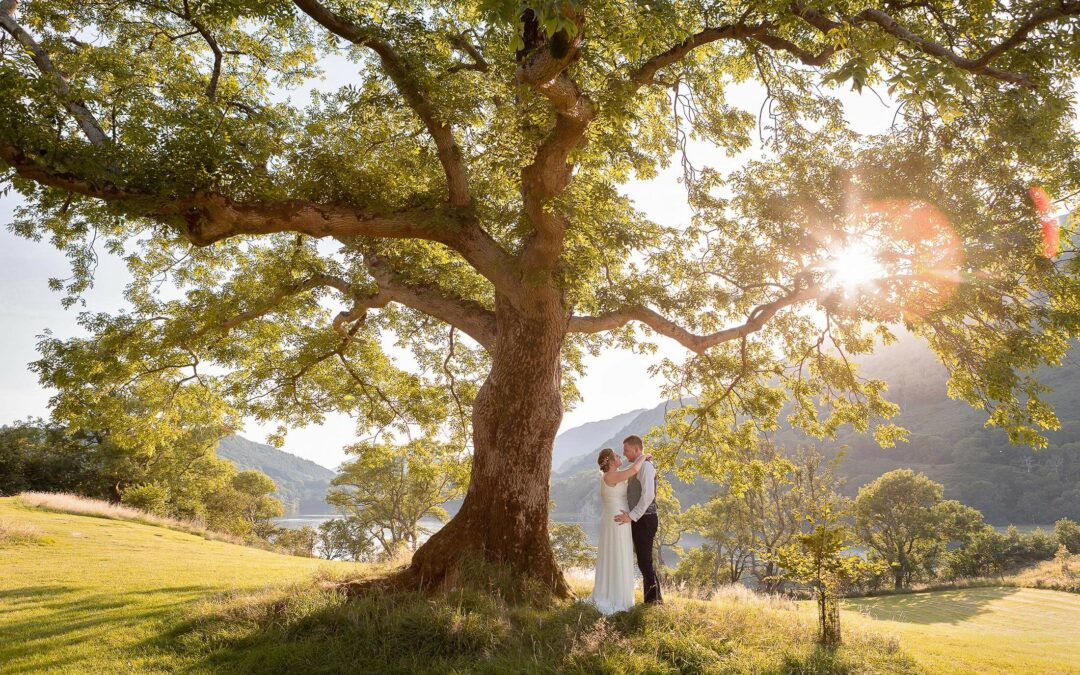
<point x="931" y="606"/>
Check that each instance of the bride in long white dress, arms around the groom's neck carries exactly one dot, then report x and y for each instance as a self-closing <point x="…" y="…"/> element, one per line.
<point x="614" y="586"/>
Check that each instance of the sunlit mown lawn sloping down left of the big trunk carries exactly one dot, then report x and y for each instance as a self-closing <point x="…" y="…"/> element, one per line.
<point x="103" y="597"/>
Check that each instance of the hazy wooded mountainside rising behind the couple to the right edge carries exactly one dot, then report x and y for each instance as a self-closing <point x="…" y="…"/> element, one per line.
<point x="949" y="442"/>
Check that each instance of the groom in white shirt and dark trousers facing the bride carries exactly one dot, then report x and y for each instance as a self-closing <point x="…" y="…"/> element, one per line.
<point x="642" y="497"/>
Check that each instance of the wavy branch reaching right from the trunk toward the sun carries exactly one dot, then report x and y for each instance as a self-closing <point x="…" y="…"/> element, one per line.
<point x="697" y="344"/>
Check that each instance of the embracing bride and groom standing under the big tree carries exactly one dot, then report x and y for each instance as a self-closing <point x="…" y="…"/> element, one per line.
<point x="628" y="526"/>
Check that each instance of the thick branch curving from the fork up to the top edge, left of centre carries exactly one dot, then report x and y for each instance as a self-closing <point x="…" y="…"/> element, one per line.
<point x="450" y="152"/>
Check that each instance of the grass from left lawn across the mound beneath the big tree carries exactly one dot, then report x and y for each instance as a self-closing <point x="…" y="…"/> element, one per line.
<point x="99" y="596"/>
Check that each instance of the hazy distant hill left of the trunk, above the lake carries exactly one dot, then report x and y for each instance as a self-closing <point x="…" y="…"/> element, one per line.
<point x="302" y="484"/>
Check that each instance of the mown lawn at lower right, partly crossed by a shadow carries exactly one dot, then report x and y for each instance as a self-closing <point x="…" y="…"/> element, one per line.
<point x="979" y="630"/>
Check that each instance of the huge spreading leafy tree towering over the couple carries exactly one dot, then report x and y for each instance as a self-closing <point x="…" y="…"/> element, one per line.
<point x="462" y="192"/>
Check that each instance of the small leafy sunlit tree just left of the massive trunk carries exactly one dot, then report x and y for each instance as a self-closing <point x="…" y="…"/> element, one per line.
<point x="386" y="492"/>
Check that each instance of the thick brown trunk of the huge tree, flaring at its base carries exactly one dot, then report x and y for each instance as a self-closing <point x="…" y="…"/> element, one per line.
<point x="517" y="415"/>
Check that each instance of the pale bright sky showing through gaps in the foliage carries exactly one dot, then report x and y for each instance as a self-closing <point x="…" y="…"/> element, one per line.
<point x="617" y="382"/>
